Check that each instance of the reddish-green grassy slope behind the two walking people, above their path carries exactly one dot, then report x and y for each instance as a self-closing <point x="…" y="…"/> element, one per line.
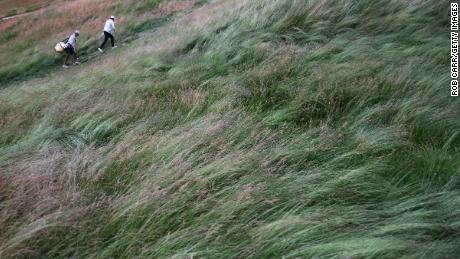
<point x="27" y="43"/>
